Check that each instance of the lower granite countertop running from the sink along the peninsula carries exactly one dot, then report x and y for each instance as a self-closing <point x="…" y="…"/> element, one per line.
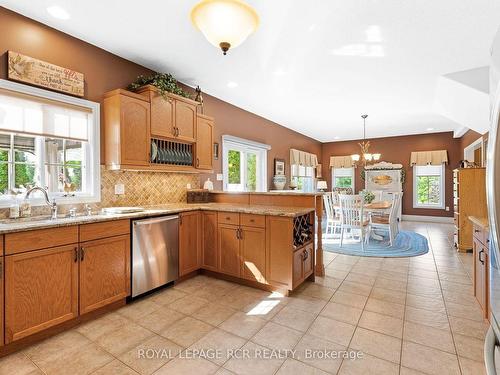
<point x="41" y="222"/>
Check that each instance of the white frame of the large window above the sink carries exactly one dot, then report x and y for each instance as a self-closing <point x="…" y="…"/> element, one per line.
<point x="92" y="147"/>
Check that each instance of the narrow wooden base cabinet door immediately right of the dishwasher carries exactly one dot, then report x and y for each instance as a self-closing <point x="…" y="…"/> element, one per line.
<point x="189" y="242"/>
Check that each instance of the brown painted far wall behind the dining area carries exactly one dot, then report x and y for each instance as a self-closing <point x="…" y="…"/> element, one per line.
<point x="398" y="150"/>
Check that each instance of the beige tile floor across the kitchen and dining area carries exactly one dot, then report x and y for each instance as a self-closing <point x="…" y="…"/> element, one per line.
<point x="407" y="316"/>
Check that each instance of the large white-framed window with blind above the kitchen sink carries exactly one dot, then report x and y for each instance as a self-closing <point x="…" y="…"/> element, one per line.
<point x="48" y="140"/>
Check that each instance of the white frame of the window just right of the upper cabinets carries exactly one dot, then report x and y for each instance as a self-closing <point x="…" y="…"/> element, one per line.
<point x="245" y="146"/>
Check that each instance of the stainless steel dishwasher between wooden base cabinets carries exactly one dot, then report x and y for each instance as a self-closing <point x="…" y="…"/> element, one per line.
<point x="155" y="253"/>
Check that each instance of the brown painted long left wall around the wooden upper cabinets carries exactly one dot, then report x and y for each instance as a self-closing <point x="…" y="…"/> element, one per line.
<point x="105" y="71"/>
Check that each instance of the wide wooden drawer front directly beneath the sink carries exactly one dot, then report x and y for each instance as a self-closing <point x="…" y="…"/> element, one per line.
<point x="40" y="239"/>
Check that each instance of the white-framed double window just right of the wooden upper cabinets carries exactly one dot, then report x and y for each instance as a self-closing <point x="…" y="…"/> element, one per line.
<point x="244" y="164"/>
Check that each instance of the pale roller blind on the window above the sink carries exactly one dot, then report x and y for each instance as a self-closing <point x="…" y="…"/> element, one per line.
<point x="21" y="113"/>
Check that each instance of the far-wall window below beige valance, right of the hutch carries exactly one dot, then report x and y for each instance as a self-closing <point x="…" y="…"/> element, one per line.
<point x="428" y="186"/>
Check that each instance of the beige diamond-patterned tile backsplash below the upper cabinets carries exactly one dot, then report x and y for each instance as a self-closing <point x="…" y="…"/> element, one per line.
<point x="141" y="188"/>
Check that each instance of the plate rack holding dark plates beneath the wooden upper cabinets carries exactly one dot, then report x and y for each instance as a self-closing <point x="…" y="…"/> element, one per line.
<point x="171" y="153"/>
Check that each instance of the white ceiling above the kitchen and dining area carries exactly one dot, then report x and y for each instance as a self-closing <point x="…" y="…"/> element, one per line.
<point x="312" y="66"/>
